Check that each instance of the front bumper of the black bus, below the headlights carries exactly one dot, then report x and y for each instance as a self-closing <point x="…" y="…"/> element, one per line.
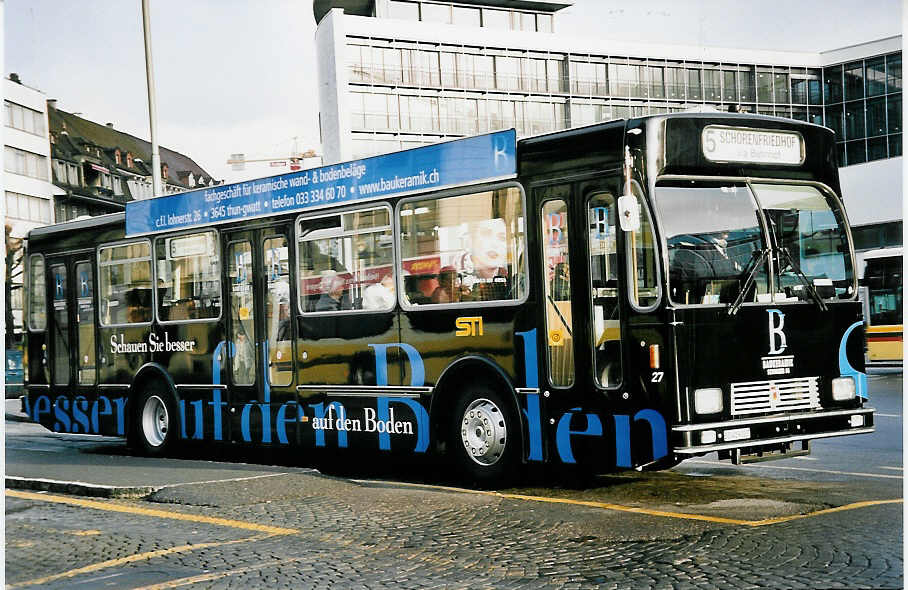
<point x="769" y="432"/>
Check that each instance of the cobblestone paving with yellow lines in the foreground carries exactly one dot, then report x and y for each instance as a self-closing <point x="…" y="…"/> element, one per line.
<point x="350" y="535"/>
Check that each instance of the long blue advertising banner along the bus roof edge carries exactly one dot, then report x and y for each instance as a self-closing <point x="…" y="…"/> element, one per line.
<point x="464" y="161"/>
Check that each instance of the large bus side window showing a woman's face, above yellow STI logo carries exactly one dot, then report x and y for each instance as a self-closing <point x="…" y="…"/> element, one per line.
<point x="463" y="248"/>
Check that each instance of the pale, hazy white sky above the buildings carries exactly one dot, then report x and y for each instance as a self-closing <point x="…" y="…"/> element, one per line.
<point x="239" y="76"/>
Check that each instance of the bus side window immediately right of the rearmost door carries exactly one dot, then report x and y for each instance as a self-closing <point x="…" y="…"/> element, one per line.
<point x="125" y="283"/>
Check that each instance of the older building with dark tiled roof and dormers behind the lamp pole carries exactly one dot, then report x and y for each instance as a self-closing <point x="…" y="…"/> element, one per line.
<point x="101" y="168"/>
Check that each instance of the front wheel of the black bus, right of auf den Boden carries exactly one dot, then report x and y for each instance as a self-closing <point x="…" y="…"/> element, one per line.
<point x="484" y="437"/>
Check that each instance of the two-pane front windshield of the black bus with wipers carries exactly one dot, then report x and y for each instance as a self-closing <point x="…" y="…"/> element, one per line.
<point x="715" y="240"/>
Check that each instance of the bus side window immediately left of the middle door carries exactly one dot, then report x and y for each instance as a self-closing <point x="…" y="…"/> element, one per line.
<point x="189" y="277"/>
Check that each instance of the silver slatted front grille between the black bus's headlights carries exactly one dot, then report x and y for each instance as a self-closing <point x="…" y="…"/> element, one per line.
<point x="780" y="395"/>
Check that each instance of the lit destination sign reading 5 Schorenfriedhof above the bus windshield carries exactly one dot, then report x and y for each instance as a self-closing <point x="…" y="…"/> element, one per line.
<point x="752" y="146"/>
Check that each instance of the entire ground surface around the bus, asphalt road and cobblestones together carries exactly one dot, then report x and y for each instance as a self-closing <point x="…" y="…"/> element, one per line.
<point x="833" y="519"/>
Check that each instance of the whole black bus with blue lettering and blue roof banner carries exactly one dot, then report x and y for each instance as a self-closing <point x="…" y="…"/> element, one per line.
<point x="622" y="295"/>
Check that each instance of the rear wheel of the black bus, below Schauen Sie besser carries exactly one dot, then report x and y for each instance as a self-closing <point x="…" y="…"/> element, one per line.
<point x="154" y="420"/>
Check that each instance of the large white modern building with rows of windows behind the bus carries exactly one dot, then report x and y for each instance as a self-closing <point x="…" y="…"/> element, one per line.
<point x="395" y="74"/>
